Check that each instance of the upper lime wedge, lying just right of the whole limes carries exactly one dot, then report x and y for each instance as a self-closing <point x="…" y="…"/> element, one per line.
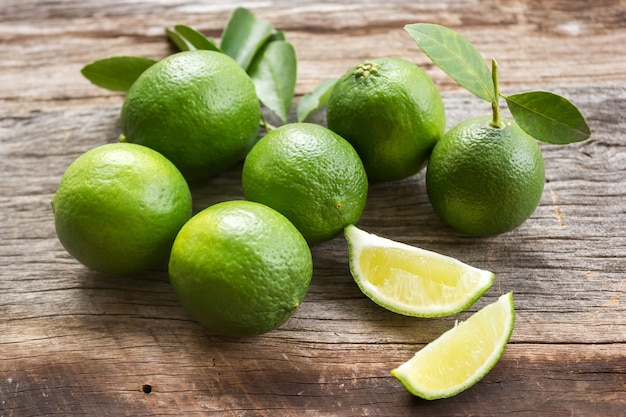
<point x="412" y="281"/>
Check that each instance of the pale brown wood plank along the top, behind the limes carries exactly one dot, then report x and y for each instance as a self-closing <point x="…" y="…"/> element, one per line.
<point x="536" y="43"/>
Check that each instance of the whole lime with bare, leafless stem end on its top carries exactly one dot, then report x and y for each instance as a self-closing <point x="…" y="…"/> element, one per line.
<point x="391" y="112"/>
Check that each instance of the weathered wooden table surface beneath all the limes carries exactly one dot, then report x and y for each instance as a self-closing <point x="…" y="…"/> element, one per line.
<point x="76" y="342"/>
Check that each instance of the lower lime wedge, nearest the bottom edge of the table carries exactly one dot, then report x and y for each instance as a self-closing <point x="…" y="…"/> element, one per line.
<point x="460" y="357"/>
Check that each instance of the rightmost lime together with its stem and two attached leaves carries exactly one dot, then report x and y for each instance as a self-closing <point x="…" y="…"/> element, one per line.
<point x="485" y="176"/>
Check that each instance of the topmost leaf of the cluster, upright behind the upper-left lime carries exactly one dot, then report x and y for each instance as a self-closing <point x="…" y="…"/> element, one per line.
<point x="244" y="35"/>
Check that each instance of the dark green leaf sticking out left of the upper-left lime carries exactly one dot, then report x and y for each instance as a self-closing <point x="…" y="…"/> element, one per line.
<point x="116" y="73"/>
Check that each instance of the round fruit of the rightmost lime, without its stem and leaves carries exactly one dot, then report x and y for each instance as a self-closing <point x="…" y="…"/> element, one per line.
<point x="484" y="180"/>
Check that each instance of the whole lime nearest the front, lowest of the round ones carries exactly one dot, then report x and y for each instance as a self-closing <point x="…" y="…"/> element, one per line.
<point x="240" y="268"/>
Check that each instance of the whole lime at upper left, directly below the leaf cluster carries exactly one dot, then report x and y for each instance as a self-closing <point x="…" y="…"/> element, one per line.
<point x="198" y="108"/>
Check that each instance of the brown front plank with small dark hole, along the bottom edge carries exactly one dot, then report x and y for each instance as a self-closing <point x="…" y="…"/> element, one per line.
<point x="301" y="379"/>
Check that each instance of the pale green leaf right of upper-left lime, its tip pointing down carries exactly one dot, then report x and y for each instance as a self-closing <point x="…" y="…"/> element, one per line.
<point x="274" y="73"/>
